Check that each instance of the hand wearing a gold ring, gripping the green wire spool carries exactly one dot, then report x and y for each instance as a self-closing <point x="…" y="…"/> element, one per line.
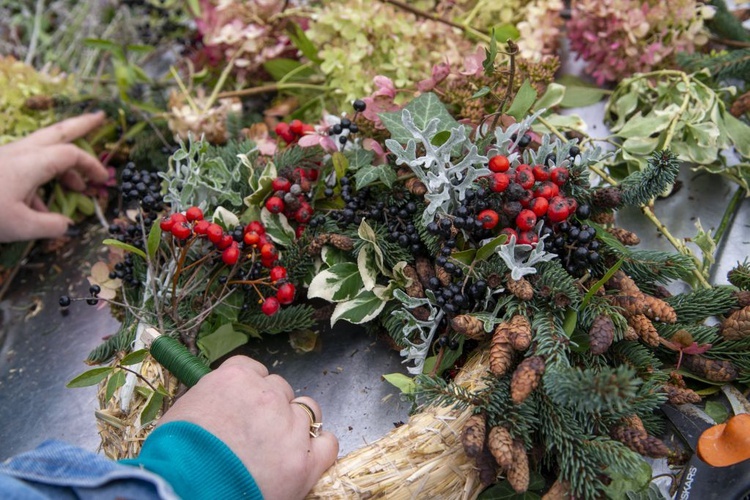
<point x="254" y="414"/>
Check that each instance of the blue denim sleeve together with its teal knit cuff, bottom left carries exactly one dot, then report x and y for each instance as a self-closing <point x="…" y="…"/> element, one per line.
<point x="178" y="460"/>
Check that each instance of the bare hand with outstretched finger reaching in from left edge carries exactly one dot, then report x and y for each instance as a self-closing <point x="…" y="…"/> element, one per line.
<point x="28" y="163"/>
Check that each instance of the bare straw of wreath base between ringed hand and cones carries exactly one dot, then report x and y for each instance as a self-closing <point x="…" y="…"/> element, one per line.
<point x="423" y="458"/>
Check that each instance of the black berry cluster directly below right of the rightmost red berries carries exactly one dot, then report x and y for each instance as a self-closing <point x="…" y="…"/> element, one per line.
<point x="575" y="243"/>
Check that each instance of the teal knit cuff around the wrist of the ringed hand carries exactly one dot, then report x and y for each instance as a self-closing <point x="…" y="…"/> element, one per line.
<point x="195" y="463"/>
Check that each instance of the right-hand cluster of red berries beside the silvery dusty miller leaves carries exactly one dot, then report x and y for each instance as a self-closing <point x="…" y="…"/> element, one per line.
<point x="536" y="188"/>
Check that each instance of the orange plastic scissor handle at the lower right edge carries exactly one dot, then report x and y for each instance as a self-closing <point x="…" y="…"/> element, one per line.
<point x="726" y="444"/>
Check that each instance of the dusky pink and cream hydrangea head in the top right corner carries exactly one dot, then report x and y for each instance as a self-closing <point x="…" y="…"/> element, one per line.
<point x="621" y="37"/>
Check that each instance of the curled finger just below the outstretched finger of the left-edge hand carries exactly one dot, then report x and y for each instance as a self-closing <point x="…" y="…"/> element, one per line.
<point x="60" y="158"/>
